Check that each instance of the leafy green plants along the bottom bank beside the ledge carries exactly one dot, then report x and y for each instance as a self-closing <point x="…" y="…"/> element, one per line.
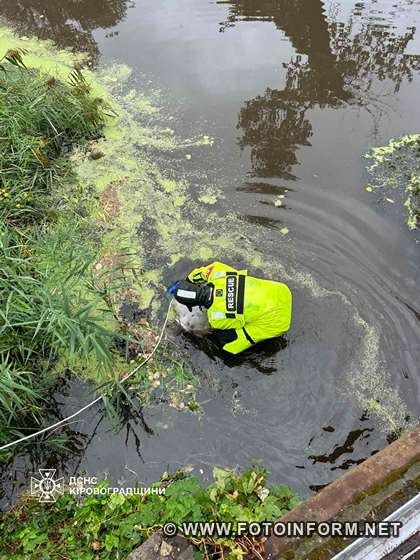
<point x="109" y="526"/>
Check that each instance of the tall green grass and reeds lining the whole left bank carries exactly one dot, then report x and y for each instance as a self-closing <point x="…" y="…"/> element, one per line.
<point x="49" y="305"/>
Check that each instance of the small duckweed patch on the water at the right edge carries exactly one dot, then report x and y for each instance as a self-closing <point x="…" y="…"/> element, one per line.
<point x="397" y="166"/>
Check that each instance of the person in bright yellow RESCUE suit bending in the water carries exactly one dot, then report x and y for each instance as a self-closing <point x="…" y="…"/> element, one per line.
<point x="243" y="310"/>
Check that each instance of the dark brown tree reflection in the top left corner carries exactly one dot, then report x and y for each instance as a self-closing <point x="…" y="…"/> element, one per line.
<point x="69" y="23"/>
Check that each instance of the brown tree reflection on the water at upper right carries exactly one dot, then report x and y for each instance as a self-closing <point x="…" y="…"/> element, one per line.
<point x="336" y="63"/>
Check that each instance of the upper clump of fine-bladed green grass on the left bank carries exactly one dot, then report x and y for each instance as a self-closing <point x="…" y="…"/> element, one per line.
<point x="41" y="119"/>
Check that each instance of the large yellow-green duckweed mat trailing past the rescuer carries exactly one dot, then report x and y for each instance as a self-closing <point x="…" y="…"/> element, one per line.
<point x="141" y="199"/>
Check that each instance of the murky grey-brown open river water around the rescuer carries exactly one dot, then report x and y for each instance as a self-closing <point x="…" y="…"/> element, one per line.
<point x="294" y="92"/>
